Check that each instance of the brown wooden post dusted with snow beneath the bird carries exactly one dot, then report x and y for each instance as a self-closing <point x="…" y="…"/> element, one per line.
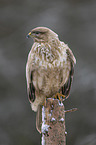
<point x="53" y="123"/>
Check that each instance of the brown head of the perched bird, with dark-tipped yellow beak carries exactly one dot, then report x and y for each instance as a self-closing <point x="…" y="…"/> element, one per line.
<point x="42" y="34"/>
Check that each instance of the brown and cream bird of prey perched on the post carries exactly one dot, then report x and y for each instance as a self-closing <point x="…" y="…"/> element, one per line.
<point x="49" y="69"/>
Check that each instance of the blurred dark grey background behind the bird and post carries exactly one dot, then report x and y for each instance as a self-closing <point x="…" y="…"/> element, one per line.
<point x="75" y="23"/>
